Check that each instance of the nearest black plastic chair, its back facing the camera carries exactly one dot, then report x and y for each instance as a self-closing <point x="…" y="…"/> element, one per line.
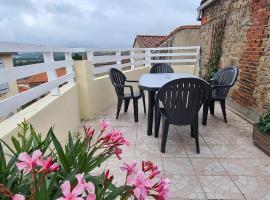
<point x="182" y="100"/>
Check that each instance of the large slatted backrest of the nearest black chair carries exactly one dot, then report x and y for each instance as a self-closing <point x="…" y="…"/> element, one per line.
<point x="183" y="98"/>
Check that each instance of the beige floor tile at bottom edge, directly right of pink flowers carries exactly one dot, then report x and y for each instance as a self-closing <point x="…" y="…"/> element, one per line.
<point x="185" y="187"/>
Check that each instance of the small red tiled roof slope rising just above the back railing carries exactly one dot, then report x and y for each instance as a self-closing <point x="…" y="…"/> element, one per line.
<point x="149" y="41"/>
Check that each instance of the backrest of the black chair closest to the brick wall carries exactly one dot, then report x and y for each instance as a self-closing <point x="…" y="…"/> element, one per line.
<point x="227" y="77"/>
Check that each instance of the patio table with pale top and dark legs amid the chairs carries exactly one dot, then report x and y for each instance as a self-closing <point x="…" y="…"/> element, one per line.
<point x="152" y="83"/>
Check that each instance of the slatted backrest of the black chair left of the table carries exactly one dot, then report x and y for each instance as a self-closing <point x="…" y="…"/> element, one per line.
<point x="117" y="78"/>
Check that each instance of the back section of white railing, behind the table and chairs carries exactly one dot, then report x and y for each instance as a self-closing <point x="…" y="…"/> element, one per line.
<point x="103" y="60"/>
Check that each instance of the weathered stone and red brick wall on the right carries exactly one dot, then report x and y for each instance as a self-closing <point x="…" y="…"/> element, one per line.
<point x="245" y="44"/>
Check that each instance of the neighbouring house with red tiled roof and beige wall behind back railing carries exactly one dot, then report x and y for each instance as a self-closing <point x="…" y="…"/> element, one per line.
<point x="182" y="36"/>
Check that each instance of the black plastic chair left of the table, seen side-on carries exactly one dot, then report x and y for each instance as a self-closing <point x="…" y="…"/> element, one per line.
<point x="119" y="80"/>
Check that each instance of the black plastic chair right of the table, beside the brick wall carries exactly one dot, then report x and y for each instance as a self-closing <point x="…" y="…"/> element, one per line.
<point x="220" y="84"/>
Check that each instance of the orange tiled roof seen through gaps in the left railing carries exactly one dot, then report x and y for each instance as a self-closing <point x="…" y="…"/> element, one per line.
<point x="41" y="78"/>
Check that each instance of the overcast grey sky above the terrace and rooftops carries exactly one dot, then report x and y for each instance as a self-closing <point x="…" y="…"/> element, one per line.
<point x="91" y="23"/>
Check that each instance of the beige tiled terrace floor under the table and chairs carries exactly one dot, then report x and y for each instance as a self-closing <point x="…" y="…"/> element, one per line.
<point x="228" y="167"/>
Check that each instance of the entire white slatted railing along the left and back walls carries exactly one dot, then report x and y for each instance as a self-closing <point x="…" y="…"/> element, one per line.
<point x="102" y="61"/>
